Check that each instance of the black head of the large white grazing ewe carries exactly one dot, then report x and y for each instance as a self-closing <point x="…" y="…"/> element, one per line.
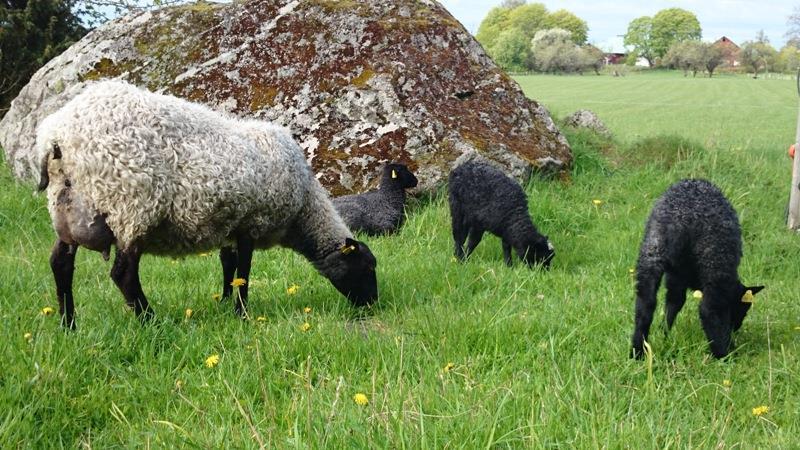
<point x="351" y="270"/>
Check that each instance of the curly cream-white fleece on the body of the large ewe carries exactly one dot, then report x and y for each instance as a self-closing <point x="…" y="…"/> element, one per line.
<point x="174" y="177"/>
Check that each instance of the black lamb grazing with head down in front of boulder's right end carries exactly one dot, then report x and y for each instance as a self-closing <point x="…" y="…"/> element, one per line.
<point x="482" y="198"/>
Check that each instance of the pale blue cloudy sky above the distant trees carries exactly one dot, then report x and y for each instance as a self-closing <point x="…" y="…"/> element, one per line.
<point x="739" y="20"/>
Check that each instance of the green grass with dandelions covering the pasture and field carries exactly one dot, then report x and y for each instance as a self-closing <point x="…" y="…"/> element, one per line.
<point x="539" y="358"/>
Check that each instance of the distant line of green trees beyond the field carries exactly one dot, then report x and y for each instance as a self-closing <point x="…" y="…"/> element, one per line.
<point x="523" y="37"/>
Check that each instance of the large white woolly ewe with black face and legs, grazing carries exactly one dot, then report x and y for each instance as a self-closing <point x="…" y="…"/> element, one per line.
<point x="152" y="173"/>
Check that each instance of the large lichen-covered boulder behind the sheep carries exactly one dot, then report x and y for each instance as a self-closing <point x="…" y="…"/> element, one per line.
<point x="358" y="83"/>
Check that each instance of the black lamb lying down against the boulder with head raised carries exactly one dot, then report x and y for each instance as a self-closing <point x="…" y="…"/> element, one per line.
<point x="380" y="211"/>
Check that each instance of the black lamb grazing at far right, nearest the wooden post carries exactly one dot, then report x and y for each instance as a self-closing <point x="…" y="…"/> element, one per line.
<point x="693" y="237"/>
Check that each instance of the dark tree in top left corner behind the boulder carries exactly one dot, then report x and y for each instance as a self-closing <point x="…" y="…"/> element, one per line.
<point x="31" y="33"/>
